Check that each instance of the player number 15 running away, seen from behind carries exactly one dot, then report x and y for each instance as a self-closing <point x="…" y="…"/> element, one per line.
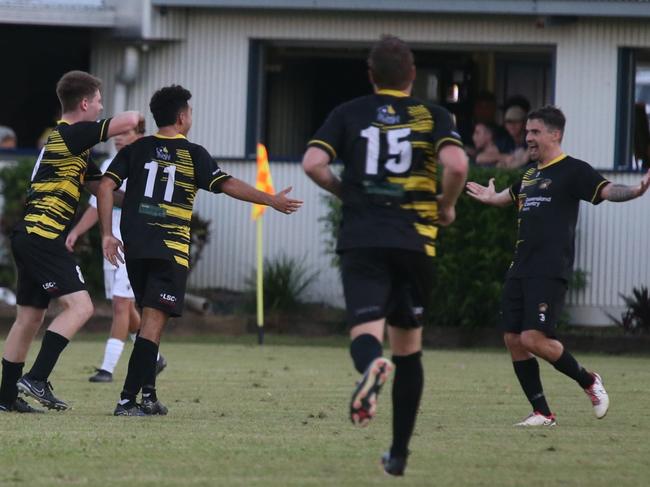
<point x="391" y="145"/>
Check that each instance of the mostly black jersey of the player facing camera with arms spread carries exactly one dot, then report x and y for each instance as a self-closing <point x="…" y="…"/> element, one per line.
<point x="548" y="199"/>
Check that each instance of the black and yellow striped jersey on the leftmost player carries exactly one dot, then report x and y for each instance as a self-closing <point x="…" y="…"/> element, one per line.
<point x="62" y="167"/>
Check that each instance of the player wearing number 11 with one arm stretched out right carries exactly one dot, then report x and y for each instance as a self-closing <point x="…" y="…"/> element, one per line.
<point x="164" y="172"/>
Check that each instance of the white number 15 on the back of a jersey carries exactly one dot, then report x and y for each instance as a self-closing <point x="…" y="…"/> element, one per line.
<point x="398" y="147"/>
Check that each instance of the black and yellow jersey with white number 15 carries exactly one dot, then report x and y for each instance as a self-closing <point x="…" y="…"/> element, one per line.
<point x="388" y="143"/>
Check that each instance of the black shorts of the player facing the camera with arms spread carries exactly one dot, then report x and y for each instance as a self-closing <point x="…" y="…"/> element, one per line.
<point x="532" y="304"/>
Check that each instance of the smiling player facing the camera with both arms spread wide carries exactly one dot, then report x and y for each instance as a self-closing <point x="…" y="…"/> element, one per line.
<point x="547" y="197"/>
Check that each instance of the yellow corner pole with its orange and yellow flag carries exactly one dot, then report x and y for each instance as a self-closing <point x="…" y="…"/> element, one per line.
<point x="263" y="183"/>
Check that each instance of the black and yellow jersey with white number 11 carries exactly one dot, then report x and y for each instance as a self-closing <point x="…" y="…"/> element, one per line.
<point x="164" y="175"/>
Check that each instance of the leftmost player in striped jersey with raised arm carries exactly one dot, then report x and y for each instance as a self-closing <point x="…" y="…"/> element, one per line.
<point x="45" y="268"/>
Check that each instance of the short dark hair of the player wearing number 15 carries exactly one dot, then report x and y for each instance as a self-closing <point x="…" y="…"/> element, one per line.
<point x="390" y="62"/>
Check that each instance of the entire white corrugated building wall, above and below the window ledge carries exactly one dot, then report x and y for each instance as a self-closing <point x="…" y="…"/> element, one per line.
<point x="213" y="62"/>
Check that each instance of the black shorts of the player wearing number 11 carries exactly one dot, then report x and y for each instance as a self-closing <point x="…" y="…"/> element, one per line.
<point x="158" y="284"/>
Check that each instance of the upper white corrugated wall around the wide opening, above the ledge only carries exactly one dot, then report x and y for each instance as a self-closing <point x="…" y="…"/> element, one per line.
<point x="213" y="62"/>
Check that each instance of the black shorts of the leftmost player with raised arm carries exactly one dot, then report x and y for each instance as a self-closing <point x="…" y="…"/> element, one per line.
<point x="45" y="270"/>
